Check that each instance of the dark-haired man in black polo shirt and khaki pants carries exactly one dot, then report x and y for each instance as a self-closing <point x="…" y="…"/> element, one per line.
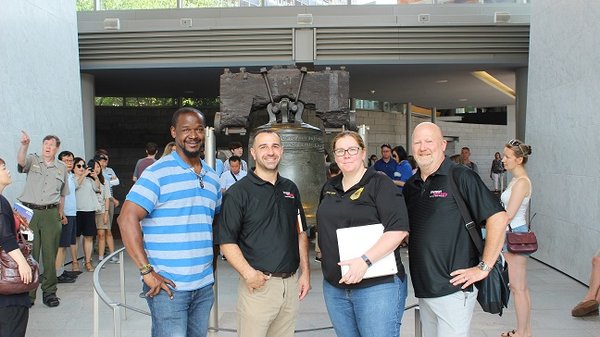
<point x="262" y="234"/>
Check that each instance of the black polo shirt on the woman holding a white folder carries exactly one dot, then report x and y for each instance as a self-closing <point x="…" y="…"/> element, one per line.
<point x="375" y="199"/>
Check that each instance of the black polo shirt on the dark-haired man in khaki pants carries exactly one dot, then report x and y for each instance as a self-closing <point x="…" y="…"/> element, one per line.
<point x="262" y="219"/>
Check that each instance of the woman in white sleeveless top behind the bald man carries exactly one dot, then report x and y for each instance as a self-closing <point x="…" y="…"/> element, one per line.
<point x="516" y="201"/>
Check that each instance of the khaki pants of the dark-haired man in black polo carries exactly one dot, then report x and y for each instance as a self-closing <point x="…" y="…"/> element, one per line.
<point x="269" y="311"/>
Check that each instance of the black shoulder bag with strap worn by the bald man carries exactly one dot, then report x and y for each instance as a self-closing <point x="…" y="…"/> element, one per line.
<point x="494" y="291"/>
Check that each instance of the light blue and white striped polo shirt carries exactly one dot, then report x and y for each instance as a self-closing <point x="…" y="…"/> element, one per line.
<point x="178" y="227"/>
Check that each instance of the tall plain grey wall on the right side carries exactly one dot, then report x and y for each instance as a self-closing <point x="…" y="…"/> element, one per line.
<point x="562" y="126"/>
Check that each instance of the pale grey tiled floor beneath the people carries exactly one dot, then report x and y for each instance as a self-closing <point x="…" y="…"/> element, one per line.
<point x="553" y="295"/>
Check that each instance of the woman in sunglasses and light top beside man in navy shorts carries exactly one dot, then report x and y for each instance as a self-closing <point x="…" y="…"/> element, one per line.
<point x="87" y="185"/>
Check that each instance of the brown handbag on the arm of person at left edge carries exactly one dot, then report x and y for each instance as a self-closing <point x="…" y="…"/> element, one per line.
<point x="10" y="278"/>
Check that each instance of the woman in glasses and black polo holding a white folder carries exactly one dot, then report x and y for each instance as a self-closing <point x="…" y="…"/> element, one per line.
<point x="359" y="306"/>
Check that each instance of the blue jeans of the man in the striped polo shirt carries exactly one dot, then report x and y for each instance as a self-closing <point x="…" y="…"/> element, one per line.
<point x="186" y="315"/>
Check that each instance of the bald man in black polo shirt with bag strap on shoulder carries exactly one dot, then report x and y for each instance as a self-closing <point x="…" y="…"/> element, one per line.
<point x="444" y="264"/>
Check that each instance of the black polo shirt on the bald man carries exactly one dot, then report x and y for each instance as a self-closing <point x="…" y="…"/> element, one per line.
<point x="439" y="242"/>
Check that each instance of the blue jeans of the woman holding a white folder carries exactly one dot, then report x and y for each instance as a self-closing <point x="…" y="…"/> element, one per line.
<point x="374" y="311"/>
